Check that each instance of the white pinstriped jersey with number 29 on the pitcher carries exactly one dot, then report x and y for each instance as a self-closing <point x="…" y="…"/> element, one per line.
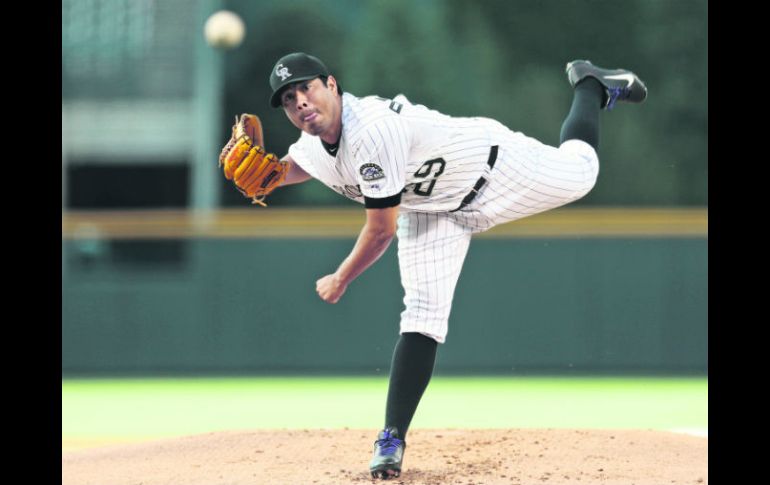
<point x="391" y="146"/>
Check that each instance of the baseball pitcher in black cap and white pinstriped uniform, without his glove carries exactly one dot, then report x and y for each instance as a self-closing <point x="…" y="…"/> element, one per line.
<point x="432" y="181"/>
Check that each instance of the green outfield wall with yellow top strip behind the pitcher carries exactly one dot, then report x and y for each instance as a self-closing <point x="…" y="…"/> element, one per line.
<point x="569" y="292"/>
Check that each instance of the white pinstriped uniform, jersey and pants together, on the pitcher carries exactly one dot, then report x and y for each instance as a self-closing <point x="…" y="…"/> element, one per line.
<point x="435" y="160"/>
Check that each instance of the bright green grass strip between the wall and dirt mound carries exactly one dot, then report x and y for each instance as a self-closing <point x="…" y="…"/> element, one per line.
<point x="105" y="411"/>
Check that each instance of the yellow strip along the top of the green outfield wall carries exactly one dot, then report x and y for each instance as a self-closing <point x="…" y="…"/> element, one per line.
<point x="343" y="223"/>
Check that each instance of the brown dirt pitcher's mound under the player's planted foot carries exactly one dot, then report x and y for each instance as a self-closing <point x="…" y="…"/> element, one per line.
<point x="435" y="457"/>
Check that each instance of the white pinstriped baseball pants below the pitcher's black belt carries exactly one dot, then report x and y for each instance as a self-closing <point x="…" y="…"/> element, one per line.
<point x="528" y="178"/>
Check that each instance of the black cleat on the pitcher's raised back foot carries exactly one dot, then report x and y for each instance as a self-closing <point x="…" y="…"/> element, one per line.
<point x="619" y="84"/>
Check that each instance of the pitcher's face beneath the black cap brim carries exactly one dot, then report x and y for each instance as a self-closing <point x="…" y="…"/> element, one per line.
<point x="314" y="108"/>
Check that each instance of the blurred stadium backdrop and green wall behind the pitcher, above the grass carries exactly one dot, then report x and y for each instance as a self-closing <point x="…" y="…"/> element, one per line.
<point x="168" y="270"/>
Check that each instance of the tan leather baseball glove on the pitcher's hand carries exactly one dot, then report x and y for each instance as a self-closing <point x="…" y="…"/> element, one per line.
<point x="245" y="162"/>
